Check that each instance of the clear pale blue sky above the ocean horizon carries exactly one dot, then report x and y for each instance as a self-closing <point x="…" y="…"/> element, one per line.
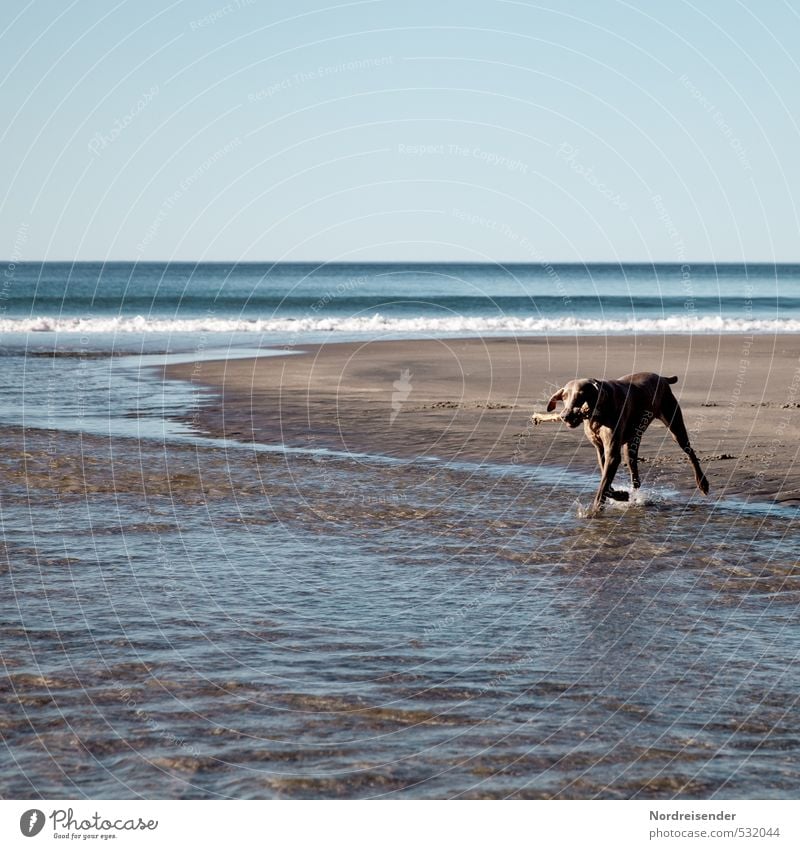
<point x="481" y="131"/>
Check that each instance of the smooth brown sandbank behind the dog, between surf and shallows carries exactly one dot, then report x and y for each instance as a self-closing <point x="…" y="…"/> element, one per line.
<point x="471" y="399"/>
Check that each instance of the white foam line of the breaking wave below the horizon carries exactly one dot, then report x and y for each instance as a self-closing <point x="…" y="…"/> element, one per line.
<point x="381" y="324"/>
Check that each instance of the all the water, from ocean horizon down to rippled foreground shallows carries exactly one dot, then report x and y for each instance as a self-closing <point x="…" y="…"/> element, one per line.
<point x="194" y="617"/>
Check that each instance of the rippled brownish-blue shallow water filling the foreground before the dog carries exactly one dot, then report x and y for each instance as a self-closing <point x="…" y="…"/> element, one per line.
<point x="195" y="621"/>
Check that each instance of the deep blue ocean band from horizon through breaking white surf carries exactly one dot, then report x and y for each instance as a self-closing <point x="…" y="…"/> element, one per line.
<point x="288" y="298"/>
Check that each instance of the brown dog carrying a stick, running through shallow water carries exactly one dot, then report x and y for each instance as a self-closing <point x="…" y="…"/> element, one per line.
<point x="615" y="414"/>
